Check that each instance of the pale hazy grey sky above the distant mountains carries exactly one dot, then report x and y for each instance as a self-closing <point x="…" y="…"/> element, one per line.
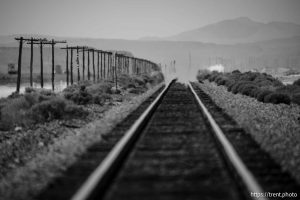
<point x="132" y="19"/>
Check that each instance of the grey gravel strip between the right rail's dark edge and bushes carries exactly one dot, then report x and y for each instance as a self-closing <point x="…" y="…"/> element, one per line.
<point x="275" y="127"/>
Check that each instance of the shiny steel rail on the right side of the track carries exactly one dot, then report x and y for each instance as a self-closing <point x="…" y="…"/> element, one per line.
<point x="231" y="154"/>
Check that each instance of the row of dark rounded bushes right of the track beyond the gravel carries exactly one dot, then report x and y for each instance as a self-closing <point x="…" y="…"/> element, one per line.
<point x="261" y="86"/>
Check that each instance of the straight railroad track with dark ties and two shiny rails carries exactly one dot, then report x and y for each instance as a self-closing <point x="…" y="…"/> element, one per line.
<point x="180" y="146"/>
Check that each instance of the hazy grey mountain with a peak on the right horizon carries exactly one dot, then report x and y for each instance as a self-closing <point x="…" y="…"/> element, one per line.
<point x="239" y="30"/>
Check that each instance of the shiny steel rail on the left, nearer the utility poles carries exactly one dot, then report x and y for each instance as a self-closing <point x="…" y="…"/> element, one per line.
<point x="97" y="176"/>
